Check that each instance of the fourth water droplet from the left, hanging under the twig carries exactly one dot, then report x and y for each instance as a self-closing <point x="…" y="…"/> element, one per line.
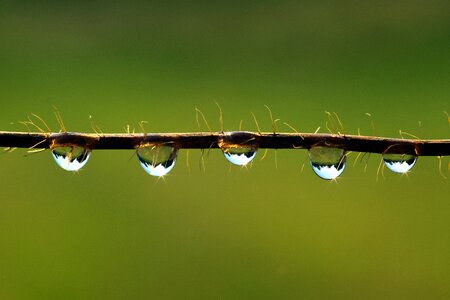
<point x="327" y="163"/>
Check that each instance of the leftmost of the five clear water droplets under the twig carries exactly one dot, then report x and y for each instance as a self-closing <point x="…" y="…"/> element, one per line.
<point x="71" y="158"/>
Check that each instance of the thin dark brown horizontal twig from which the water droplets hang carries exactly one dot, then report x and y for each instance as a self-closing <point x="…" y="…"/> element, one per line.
<point x="201" y="140"/>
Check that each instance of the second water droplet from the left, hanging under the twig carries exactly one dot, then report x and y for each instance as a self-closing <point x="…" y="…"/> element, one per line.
<point x="157" y="160"/>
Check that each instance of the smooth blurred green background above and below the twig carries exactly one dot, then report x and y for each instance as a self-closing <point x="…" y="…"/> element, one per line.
<point x="113" y="232"/>
